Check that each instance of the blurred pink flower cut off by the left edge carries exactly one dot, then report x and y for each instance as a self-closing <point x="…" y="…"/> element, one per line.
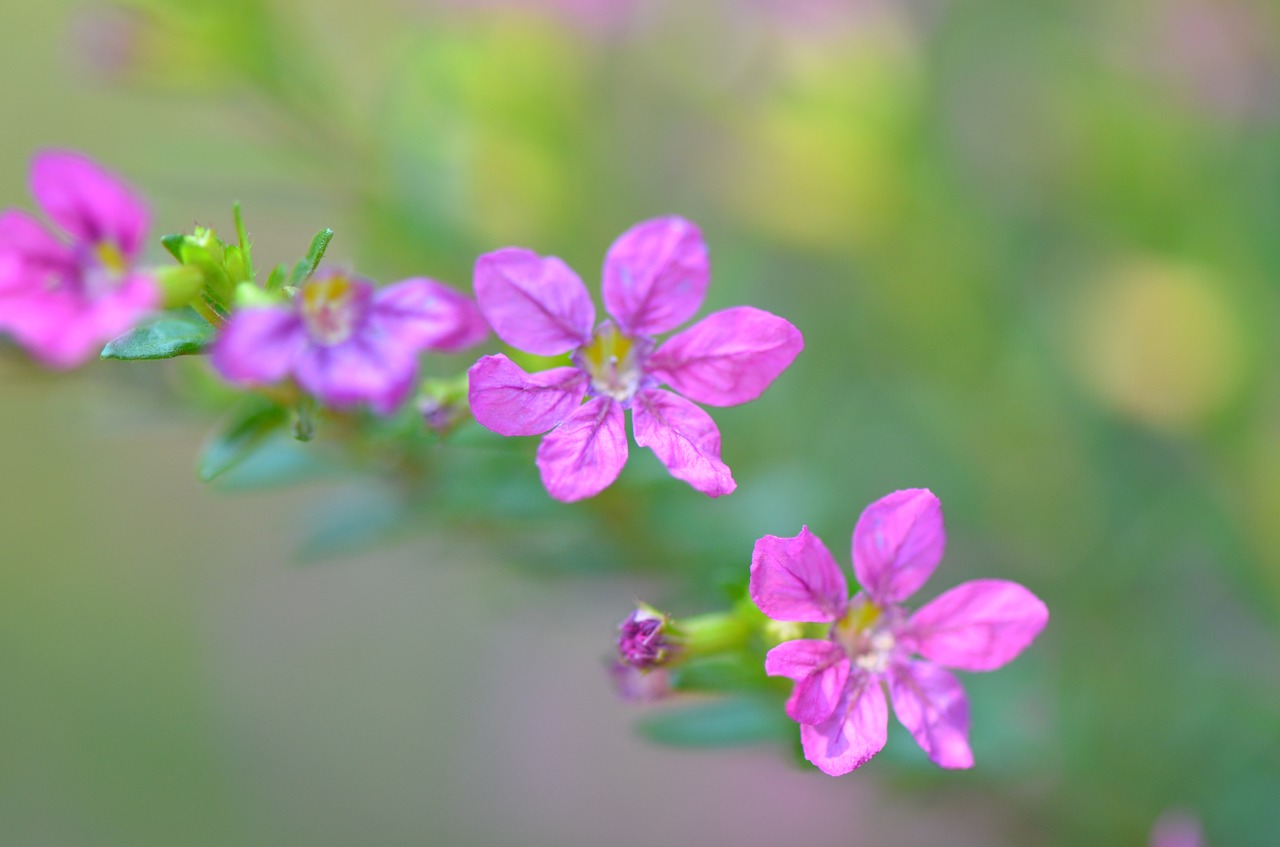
<point x="63" y="301"/>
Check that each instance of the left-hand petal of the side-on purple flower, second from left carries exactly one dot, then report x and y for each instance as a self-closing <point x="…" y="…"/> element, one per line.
<point x="259" y="346"/>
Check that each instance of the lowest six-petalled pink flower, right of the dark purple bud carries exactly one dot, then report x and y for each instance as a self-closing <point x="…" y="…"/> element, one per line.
<point x="839" y="701"/>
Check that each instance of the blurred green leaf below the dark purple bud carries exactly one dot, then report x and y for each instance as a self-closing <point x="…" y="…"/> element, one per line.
<point x="725" y="724"/>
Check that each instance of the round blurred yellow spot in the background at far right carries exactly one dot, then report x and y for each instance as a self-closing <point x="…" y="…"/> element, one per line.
<point x="1159" y="344"/>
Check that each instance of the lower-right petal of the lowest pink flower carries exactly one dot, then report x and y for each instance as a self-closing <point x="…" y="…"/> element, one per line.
<point x="932" y="706"/>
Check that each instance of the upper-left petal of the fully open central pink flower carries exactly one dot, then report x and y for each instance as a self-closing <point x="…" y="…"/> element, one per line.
<point x="533" y="303"/>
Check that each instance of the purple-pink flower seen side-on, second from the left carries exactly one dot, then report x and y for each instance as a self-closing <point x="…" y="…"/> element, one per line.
<point x="346" y="342"/>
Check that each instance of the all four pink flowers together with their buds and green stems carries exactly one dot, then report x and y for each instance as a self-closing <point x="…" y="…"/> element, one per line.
<point x="344" y="342"/>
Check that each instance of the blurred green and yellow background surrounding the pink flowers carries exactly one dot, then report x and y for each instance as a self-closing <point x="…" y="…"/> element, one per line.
<point x="1035" y="250"/>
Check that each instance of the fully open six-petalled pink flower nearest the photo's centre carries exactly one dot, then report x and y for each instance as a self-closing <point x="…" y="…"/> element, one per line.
<point x="656" y="277"/>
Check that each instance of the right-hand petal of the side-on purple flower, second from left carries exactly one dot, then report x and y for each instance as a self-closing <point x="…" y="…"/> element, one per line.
<point x="429" y="315"/>
